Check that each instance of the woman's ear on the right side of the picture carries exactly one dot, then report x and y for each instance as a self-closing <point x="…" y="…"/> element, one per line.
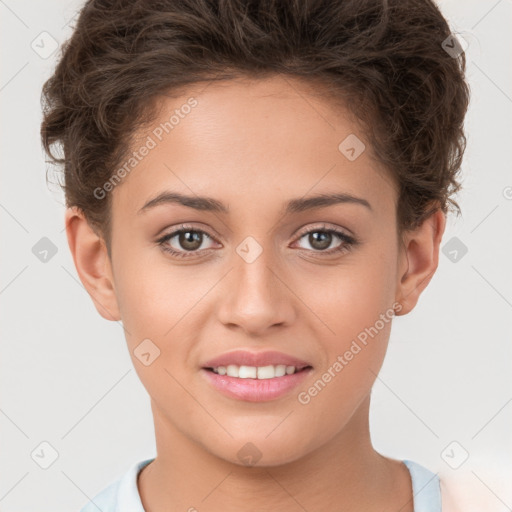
<point x="419" y="257"/>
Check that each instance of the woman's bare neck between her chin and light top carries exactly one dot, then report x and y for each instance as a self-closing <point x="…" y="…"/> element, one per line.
<point x="345" y="473"/>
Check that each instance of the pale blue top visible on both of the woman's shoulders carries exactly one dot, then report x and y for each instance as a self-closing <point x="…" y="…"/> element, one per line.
<point x="123" y="495"/>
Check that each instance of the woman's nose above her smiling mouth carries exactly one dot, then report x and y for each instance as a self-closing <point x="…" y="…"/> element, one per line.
<point x="255" y="297"/>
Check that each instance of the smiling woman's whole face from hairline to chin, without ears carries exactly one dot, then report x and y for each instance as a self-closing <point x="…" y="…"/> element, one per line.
<point x="265" y="270"/>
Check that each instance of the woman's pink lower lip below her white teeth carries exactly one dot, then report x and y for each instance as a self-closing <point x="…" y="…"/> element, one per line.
<point x="255" y="390"/>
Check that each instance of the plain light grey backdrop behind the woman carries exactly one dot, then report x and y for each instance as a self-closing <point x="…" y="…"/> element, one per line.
<point x="443" y="397"/>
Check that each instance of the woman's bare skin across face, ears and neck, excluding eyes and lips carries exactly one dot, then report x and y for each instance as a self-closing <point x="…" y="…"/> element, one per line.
<point x="316" y="456"/>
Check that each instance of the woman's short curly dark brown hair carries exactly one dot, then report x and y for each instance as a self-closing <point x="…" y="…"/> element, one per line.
<point x="383" y="59"/>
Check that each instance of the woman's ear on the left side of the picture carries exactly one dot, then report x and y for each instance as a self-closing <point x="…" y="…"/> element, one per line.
<point x="92" y="263"/>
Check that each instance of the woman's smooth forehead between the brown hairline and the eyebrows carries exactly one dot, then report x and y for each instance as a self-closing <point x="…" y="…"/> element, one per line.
<point x="251" y="143"/>
